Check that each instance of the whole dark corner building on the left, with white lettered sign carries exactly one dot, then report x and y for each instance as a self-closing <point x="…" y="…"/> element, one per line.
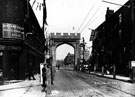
<point x="22" y="40"/>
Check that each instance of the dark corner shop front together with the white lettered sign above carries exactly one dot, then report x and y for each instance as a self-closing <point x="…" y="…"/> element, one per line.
<point x="16" y="54"/>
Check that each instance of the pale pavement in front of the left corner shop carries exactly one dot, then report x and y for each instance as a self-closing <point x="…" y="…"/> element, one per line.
<point x="24" y="88"/>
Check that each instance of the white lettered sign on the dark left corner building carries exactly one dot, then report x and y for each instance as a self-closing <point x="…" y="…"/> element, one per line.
<point x="12" y="31"/>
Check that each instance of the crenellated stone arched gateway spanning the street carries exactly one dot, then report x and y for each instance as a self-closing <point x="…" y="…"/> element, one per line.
<point x="57" y="39"/>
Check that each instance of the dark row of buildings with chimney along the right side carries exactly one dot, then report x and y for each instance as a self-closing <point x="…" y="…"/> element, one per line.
<point x="113" y="41"/>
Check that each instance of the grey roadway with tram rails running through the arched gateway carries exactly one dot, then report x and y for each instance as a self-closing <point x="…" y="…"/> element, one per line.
<point x="87" y="85"/>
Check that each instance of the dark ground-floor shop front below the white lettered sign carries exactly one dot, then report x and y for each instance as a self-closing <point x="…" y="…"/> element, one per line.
<point x="15" y="61"/>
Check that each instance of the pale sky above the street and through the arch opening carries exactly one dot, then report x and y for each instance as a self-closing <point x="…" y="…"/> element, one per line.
<point x="74" y="16"/>
